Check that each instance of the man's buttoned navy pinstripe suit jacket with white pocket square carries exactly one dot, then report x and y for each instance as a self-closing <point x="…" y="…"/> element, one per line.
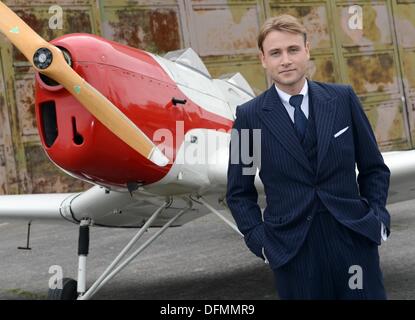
<point x="292" y="188"/>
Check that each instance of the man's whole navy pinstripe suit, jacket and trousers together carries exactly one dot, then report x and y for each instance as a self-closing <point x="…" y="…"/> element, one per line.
<point x="309" y="187"/>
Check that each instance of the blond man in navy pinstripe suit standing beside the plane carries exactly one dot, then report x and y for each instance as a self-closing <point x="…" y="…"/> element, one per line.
<point x="321" y="228"/>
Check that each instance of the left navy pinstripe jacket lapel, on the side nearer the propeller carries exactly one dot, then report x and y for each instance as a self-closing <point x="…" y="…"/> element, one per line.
<point x="277" y="120"/>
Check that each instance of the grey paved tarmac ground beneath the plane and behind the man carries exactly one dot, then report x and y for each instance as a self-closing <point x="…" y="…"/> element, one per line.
<point x="203" y="259"/>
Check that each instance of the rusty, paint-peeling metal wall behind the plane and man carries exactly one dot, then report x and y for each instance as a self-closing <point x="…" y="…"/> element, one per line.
<point x="378" y="61"/>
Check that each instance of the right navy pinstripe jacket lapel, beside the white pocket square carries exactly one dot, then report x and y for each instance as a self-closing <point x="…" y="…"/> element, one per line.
<point x="325" y="107"/>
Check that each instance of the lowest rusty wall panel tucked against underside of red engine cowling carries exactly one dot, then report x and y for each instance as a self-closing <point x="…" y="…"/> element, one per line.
<point x="46" y="177"/>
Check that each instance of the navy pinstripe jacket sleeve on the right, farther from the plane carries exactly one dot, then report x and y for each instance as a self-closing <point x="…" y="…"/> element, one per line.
<point x="373" y="177"/>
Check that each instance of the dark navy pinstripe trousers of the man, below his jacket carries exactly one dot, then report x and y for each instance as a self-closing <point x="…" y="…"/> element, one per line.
<point x="334" y="262"/>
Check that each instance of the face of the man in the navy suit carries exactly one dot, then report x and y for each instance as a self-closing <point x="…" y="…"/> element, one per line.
<point x="285" y="58"/>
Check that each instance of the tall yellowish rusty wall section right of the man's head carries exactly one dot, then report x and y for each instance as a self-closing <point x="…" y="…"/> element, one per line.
<point x="369" y="61"/>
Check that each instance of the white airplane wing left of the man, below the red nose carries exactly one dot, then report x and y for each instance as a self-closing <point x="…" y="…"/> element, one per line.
<point x="103" y="207"/>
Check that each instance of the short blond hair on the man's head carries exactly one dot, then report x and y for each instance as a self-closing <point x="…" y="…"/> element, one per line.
<point x="284" y="23"/>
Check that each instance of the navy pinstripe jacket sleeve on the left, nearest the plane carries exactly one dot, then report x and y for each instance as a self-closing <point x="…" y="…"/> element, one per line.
<point x="242" y="196"/>
